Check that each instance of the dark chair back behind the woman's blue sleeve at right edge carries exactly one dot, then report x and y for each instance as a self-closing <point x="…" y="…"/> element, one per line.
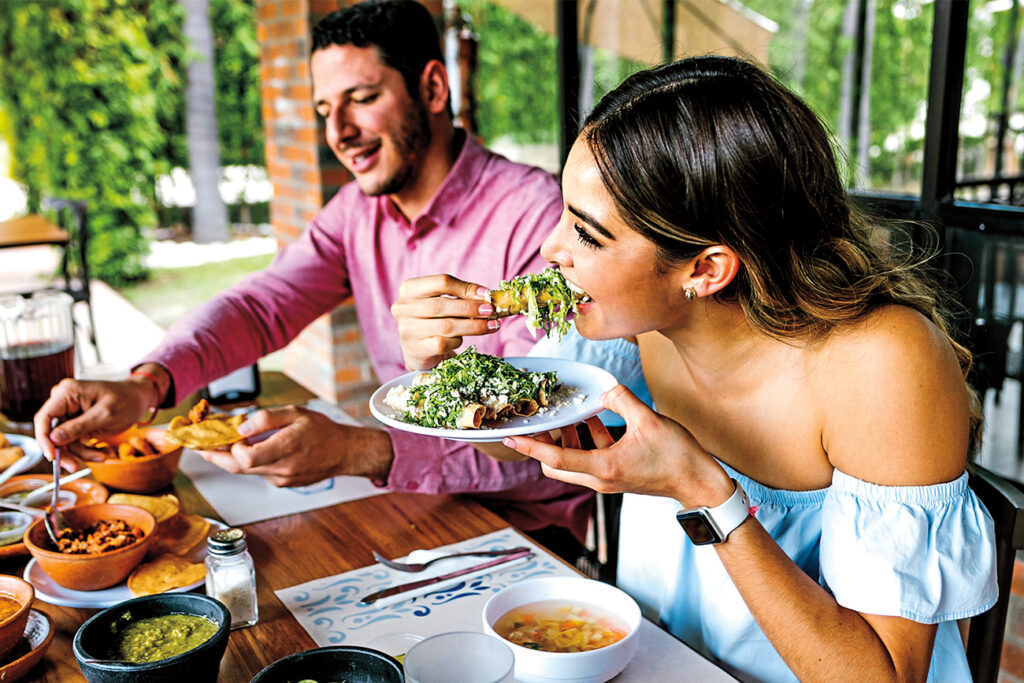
<point x="1005" y="501"/>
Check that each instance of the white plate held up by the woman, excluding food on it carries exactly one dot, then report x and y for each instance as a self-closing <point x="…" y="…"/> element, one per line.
<point x="588" y="380"/>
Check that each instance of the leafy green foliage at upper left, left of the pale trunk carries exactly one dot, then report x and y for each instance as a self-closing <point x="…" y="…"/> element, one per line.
<point x="80" y="82"/>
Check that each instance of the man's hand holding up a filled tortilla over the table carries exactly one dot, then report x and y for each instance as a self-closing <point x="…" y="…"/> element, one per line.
<point x="305" y="447"/>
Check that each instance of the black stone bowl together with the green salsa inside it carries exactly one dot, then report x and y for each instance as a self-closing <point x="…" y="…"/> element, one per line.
<point x="166" y="637"/>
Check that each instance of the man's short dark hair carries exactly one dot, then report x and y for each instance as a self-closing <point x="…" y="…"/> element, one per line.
<point x="403" y="31"/>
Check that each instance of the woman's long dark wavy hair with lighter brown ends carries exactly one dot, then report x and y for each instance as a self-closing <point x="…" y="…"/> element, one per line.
<point x="714" y="150"/>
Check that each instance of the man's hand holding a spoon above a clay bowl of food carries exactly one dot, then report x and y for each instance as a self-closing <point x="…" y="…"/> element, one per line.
<point x="97" y="410"/>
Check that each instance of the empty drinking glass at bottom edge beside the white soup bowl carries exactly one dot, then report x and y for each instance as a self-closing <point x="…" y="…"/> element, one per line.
<point x="460" y="657"/>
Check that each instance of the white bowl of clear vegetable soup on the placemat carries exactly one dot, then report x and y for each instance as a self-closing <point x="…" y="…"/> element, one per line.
<point x="566" y="629"/>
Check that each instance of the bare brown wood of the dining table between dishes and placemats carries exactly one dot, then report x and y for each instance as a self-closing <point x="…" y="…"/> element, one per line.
<point x="289" y="551"/>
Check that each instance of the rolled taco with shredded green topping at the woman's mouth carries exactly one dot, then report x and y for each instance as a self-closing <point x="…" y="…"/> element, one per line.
<point x="546" y="300"/>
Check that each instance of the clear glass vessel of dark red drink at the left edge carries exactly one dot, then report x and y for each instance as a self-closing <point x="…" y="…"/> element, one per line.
<point x="37" y="351"/>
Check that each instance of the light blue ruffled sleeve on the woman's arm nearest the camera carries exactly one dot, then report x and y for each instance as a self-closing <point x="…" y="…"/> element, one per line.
<point x="925" y="553"/>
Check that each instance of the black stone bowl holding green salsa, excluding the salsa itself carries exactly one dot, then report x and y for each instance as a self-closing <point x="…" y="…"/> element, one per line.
<point x="199" y="665"/>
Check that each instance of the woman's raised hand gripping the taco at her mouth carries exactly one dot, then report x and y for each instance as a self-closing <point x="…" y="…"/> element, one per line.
<point x="435" y="313"/>
